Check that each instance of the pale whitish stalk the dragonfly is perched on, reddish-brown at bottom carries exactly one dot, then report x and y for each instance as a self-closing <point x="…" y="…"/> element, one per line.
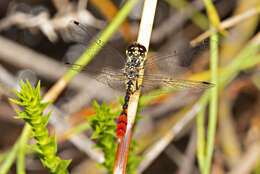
<point x="144" y="36"/>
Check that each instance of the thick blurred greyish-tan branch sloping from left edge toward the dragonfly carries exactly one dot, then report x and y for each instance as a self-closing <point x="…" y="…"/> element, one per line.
<point x="47" y="67"/>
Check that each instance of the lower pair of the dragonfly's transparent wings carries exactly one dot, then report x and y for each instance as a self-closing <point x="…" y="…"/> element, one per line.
<point x="116" y="80"/>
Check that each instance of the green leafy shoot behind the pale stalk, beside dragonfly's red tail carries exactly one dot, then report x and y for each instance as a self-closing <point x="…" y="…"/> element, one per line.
<point x="104" y="126"/>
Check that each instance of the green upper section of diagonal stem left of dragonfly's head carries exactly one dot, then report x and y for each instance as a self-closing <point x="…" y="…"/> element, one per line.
<point x="87" y="56"/>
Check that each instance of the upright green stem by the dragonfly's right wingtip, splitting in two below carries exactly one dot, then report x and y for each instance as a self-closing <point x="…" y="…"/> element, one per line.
<point x="205" y="150"/>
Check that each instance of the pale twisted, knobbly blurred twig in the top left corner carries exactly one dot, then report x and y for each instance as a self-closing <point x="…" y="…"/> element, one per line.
<point x="48" y="25"/>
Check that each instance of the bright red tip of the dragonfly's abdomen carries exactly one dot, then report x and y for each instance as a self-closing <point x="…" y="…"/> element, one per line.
<point x="121" y="124"/>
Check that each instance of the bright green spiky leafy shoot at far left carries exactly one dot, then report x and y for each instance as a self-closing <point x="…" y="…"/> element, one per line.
<point x="46" y="147"/>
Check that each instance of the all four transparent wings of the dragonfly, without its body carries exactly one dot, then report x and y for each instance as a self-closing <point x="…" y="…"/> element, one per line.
<point x="159" y="69"/>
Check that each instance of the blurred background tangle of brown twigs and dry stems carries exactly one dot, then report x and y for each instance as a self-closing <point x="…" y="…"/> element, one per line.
<point x="38" y="42"/>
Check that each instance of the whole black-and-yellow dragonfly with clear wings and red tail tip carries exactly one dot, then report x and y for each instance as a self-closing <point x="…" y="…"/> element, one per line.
<point x="126" y="78"/>
